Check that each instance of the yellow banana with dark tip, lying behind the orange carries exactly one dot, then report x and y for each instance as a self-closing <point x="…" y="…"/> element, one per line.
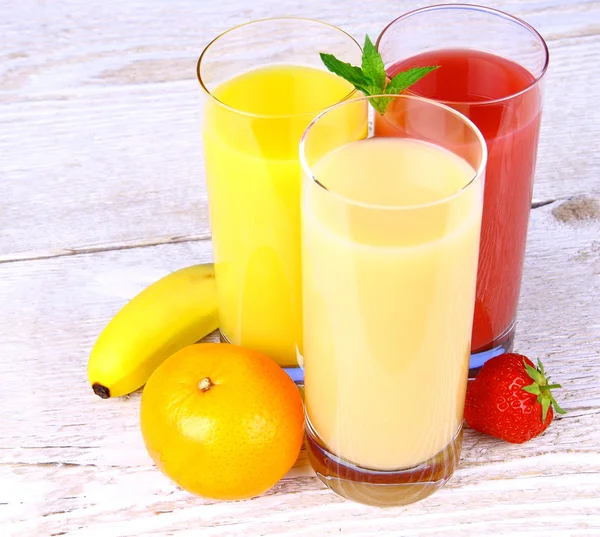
<point x="173" y="312"/>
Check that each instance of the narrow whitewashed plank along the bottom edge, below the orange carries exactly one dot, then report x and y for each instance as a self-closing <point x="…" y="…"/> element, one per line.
<point x="137" y="502"/>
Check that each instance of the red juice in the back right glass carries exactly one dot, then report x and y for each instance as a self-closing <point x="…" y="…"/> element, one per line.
<point x="500" y="97"/>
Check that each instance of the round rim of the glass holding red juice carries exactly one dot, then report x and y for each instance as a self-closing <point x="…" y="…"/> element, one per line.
<point x="489" y="11"/>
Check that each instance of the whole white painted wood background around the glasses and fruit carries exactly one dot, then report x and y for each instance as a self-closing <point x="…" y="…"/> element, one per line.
<point x="103" y="192"/>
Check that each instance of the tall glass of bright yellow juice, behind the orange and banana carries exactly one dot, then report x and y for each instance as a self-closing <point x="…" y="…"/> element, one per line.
<point x="263" y="82"/>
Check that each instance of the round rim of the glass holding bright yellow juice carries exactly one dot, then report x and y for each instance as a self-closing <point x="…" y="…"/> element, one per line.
<point x="259" y="21"/>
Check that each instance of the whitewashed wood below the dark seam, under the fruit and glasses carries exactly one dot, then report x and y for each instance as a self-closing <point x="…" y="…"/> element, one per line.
<point x="71" y="462"/>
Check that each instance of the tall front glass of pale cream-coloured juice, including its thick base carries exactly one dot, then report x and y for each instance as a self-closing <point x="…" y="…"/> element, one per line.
<point x="391" y="218"/>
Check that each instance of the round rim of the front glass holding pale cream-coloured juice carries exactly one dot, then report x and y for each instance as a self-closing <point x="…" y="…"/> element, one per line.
<point x="479" y="171"/>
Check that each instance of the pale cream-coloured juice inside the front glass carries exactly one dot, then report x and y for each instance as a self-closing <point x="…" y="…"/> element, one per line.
<point x="388" y="299"/>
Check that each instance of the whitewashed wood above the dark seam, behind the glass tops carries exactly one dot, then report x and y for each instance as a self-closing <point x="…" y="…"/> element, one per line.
<point x="100" y="143"/>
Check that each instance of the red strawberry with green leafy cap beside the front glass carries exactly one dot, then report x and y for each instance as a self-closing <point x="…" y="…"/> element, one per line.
<point x="511" y="399"/>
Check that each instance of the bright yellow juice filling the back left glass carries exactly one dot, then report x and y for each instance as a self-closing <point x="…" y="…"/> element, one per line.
<point x="251" y="134"/>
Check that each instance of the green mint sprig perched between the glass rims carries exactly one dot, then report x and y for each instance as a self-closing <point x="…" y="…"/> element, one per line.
<point x="371" y="77"/>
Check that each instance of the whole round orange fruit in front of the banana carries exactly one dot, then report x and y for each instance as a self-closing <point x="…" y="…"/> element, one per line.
<point x="222" y="421"/>
